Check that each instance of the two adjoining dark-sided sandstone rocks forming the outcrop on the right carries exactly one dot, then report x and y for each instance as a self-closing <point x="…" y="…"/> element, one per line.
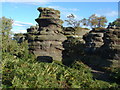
<point x="104" y="42"/>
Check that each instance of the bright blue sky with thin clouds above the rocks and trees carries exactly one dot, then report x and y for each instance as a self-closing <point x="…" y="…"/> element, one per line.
<point x="25" y="13"/>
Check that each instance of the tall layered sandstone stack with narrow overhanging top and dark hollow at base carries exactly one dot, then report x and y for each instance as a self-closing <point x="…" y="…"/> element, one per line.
<point x="45" y="40"/>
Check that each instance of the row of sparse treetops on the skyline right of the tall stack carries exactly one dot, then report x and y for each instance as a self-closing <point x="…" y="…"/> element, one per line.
<point x="93" y="21"/>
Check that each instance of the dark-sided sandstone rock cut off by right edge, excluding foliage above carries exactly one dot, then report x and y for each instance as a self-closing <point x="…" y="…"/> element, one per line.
<point x="111" y="45"/>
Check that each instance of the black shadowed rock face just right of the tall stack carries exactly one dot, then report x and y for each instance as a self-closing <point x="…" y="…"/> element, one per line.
<point x="73" y="49"/>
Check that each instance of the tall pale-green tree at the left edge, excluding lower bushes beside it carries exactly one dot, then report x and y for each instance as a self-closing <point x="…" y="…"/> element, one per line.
<point x="5" y="28"/>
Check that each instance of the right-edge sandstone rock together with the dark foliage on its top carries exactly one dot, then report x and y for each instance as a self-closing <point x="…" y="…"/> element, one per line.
<point x="111" y="47"/>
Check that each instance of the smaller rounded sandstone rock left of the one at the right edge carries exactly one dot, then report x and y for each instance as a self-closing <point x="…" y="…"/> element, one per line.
<point x="94" y="40"/>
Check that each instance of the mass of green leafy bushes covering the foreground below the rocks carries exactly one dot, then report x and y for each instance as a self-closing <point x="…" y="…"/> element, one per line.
<point x="48" y="75"/>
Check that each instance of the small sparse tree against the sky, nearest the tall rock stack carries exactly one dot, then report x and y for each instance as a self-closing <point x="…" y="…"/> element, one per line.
<point x="72" y="21"/>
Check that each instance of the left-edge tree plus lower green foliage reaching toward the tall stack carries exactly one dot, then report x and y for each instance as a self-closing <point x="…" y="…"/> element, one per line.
<point x="11" y="46"/>
